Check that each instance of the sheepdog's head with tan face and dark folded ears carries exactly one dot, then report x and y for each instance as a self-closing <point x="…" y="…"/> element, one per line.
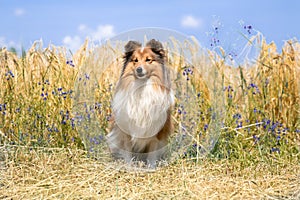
<point x="144" y="62"/>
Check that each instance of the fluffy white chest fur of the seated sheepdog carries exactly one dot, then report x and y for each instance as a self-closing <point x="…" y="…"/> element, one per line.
<point x="141" y="110"/>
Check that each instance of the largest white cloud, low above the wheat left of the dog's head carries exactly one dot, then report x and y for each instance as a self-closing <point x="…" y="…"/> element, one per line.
<point x="102" y="32"/>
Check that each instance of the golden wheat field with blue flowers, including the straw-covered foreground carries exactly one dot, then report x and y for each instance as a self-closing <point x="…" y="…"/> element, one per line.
<point x="256" y="154"/>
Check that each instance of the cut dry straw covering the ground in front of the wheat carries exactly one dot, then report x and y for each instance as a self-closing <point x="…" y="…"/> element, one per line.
<point x="69" y="174"/>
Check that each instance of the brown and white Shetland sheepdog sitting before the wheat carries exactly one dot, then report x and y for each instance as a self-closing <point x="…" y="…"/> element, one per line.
<point x="141" y="106"/>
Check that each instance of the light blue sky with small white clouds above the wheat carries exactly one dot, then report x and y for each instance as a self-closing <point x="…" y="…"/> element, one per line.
<point x="68" y="23"/>
